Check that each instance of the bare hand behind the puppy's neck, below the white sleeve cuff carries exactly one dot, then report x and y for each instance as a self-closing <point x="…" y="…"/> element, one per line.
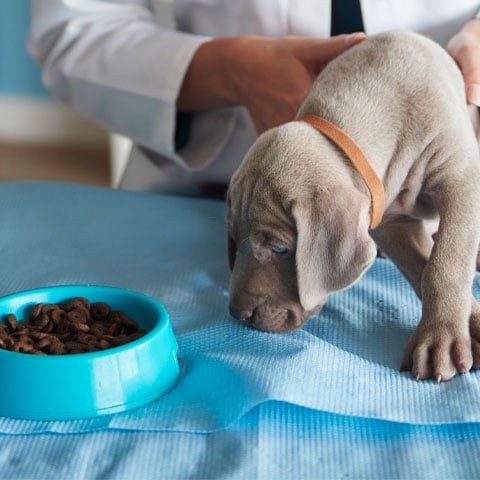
<point x="270" y="77"/>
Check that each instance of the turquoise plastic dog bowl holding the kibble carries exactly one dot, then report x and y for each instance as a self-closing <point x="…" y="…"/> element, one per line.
<point x="83" y="385"/>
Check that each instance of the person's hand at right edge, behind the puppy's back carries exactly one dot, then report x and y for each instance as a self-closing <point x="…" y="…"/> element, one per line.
<point x="464" y="47"/>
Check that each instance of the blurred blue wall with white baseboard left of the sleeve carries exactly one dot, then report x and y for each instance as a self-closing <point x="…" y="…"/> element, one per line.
<point x="27" y="113"/>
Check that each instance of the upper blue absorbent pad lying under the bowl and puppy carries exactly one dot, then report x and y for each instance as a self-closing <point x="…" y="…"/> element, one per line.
<point x="344" y="361"/>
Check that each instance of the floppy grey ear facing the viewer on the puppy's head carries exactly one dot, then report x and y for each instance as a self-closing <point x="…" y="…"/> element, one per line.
<point x="333" y="245"/>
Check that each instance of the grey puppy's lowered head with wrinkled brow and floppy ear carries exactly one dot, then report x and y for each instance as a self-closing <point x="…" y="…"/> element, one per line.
<point x="295" y="233"/>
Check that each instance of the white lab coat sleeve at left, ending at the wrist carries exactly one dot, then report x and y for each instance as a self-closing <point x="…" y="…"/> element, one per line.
<point x="114" y="64"/>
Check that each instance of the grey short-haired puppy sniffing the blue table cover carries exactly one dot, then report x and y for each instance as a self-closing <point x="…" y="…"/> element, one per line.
<point x="299" y="212"/>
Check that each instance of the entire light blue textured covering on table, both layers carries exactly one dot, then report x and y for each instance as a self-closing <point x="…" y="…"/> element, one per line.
<point x="325" y="401"/>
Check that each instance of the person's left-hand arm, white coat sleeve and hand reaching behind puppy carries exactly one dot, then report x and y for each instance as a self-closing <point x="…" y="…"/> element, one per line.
<point x="114" y="64"/>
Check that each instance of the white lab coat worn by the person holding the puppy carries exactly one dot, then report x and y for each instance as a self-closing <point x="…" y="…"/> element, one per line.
<point x="115" y="64"/>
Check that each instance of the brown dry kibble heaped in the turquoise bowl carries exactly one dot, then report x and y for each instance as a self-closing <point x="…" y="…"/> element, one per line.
<point x="75" y="326"/>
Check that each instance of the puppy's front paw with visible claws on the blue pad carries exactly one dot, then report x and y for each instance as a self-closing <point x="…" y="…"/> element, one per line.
<point x="438" y="352"/>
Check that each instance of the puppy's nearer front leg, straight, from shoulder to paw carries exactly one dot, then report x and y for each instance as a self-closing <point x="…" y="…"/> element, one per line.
<point x="441" y="343"/>
